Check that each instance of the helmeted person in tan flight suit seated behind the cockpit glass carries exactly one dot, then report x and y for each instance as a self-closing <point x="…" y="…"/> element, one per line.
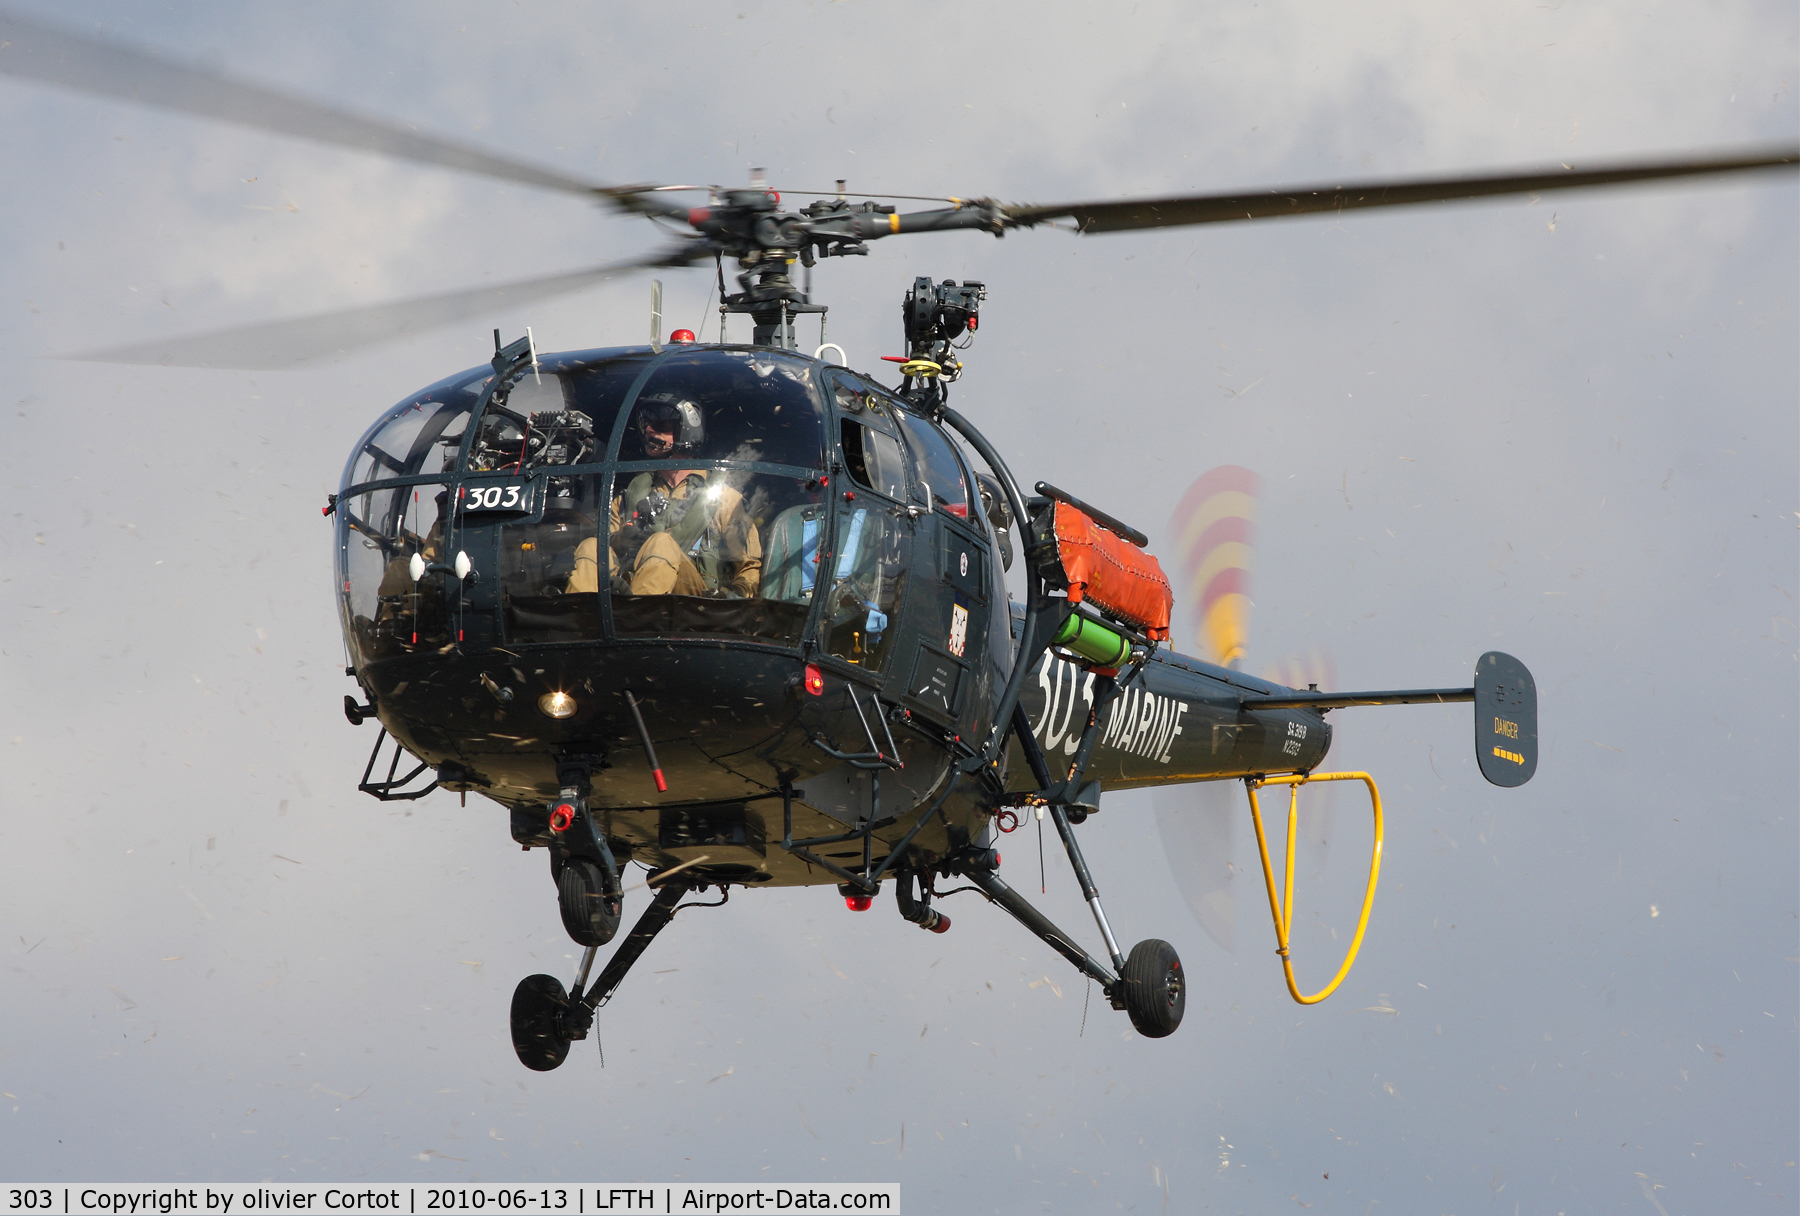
<point x="676" y="532"/>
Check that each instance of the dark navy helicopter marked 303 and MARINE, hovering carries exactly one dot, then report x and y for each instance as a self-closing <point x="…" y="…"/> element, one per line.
<point x="870" y="704"/>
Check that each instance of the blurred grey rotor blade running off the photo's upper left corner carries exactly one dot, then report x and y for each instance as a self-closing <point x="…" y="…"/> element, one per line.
<point x="58" y="57"/>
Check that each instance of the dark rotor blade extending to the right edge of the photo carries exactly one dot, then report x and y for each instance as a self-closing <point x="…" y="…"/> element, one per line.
<point x="1165" y="213"/>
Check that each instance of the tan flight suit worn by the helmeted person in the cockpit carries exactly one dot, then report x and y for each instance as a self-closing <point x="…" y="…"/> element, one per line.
<point x="714" y="551"/>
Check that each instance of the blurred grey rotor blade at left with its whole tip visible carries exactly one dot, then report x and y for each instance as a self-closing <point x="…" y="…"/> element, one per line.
<point x="285" y="343"/>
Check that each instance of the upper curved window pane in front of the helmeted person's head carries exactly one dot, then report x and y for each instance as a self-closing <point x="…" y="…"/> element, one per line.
<point x="728" y="406"/>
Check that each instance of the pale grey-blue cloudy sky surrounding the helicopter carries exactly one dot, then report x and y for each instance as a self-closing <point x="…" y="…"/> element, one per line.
<point x="1561" y="429"/>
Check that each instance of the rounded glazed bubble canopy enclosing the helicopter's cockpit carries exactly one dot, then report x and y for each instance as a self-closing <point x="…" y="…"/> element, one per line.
<point x="622" y="492"/>
